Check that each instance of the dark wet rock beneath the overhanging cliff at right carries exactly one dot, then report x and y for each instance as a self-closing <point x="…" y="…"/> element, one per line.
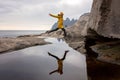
<point x="108" y="52"/>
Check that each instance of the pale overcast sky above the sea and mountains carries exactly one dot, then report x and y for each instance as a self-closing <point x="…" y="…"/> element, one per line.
<point x="33" y="14"/>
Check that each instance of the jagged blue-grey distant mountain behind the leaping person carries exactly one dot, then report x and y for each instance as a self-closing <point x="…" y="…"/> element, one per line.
<point x="67" y="23"/>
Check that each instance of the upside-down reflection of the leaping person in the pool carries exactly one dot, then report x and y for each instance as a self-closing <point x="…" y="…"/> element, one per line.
<point x="60" y="63"/>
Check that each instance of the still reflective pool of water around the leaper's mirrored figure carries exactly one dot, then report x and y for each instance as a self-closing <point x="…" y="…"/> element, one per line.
<point x="34" y="63"/>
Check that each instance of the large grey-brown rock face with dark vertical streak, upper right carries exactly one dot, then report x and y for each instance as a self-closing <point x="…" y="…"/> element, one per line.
<point x="105" y="18"/>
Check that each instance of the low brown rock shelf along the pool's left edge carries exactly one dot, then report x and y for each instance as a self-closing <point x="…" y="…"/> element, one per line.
<point x="11" y="44"/>
